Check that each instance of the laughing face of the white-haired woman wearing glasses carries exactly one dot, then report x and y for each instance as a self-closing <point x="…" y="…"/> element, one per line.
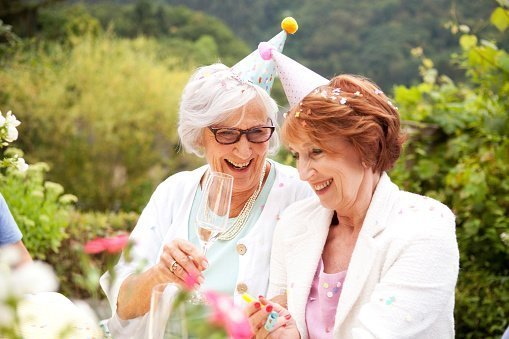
<point x="243" y="160"/>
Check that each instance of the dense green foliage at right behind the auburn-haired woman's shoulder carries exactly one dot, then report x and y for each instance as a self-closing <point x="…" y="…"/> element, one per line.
<point x="459" y="154"/>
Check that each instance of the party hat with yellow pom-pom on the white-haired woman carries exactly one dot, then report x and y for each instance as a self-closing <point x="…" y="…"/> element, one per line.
<point x="261" y="72"/>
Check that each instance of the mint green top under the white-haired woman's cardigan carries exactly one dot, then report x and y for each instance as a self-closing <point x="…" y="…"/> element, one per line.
<point x="221" y="275"/>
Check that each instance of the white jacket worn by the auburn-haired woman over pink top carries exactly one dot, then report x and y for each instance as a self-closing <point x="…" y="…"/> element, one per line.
<point x="402" y="274"/>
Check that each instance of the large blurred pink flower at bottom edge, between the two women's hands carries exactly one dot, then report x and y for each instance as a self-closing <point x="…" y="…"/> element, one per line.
<point x="226" y="314"/>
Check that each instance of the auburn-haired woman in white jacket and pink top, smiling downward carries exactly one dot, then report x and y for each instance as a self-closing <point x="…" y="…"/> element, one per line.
<point x="360" y="259"/>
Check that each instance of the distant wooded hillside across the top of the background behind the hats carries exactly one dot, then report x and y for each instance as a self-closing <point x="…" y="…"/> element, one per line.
<point x="373" y="38"/>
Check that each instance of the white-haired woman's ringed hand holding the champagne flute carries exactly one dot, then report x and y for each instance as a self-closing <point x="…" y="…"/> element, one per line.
<point x="182" y="262"/>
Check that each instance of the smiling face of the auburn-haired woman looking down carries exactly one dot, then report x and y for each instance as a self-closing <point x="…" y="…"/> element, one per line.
<point x="339" y="179"/>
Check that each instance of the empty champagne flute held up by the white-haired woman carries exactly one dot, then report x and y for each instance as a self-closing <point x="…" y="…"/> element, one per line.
<point x="213" y="214"/>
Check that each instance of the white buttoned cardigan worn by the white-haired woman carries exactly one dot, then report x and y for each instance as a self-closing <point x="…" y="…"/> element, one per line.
<point x="166" y="217"/>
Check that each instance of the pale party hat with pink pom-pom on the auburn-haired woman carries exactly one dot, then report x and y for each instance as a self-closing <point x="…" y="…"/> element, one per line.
<point x="298" y="80"/>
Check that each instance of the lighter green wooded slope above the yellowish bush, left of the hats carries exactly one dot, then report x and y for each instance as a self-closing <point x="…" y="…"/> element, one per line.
<point x="201" y="39"/>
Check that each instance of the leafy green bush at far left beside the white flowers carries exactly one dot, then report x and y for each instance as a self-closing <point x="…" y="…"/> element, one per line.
<point x="54" y="231"/>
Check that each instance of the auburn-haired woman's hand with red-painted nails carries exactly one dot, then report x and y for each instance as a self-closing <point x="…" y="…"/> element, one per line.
<point x="258" y="312"/>
